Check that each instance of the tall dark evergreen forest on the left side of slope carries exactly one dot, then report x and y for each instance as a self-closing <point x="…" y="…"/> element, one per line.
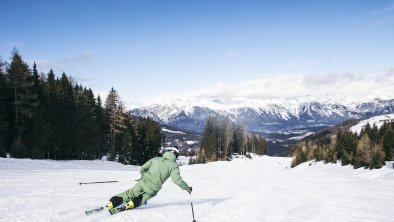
<point x="47" y="117"/>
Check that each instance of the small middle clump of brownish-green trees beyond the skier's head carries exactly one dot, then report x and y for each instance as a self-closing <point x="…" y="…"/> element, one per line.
<point x="222" y="138"/>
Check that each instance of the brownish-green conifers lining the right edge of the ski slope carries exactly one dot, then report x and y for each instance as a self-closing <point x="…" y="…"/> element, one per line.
<point x="370" y="149"/>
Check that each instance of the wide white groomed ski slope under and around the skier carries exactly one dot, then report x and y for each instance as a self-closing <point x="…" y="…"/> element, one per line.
<point x="262" y="189"/>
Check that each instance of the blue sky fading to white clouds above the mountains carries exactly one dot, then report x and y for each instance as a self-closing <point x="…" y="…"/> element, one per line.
<point x="208" y="48"/>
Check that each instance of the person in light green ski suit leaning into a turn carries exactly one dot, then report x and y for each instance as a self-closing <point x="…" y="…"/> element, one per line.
<point x="153" y="174"/>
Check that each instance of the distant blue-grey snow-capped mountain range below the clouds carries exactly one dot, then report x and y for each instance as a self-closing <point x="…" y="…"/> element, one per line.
<point x="264" y="115"/>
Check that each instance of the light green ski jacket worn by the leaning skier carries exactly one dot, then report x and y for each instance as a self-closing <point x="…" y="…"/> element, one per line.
<point x="157" y="170"/>
